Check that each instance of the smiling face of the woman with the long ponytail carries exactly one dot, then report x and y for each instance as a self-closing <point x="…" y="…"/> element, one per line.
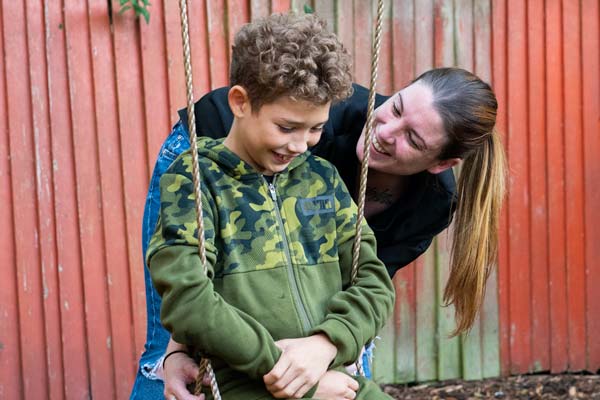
<point x="408" y="134"/>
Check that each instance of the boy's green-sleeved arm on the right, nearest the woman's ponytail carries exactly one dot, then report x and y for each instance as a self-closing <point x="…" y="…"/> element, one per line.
<point x="356" y="314"/>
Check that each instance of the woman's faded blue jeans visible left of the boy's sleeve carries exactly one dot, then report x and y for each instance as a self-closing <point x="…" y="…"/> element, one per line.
<point x="147" y="385"/>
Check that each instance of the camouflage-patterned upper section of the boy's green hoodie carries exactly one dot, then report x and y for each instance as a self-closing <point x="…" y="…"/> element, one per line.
<point x="316" y="210"/>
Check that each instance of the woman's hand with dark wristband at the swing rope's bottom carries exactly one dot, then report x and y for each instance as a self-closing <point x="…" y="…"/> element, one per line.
<point x="179" y="370"/>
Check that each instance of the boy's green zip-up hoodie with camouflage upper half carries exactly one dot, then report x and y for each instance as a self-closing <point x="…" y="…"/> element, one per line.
<point x="279" y="260"/>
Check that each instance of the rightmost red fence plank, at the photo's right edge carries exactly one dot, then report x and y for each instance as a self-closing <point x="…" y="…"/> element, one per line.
<point x="590" y="37"/>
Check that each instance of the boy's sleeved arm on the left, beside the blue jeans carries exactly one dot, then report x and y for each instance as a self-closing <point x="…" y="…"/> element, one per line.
<point x="191" y="310"/>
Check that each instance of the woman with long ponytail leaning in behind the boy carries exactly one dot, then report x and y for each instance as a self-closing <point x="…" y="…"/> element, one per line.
<point x="446" y="116"/>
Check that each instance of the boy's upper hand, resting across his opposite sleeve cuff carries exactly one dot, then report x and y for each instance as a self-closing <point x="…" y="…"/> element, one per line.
<point x="303" y="362"/>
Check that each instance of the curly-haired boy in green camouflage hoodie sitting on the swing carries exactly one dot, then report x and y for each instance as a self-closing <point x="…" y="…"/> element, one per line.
<point x="277" y="310"/>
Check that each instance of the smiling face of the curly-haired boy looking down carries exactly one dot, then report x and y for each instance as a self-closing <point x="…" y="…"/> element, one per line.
<point x="281" y="130"/>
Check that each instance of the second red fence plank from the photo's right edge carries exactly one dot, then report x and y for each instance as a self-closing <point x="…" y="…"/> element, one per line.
<point x="574" y="185"/>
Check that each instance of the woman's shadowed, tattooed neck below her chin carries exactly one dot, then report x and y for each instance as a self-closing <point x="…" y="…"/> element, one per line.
<point x="383" y="190"/>
